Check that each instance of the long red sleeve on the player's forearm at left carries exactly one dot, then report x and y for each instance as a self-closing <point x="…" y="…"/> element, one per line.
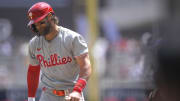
<point x="33" y="80"/>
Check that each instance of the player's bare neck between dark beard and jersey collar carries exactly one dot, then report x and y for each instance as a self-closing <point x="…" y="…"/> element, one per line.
<point x="52" y="34"/>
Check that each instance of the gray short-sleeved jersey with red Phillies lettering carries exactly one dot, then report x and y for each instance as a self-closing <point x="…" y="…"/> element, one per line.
<point x="57" y="58"/>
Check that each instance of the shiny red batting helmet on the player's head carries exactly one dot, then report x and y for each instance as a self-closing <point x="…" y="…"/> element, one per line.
<point x="38" y="12"/>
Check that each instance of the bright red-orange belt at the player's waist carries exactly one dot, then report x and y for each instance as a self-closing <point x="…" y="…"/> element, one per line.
<point x="56" y="92"/>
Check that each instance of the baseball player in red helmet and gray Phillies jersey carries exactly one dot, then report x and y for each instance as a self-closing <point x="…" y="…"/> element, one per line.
<point x="60" y="54"/>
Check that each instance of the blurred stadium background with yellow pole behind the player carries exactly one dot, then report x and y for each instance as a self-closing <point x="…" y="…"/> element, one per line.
<point x="121" y="35"/>
